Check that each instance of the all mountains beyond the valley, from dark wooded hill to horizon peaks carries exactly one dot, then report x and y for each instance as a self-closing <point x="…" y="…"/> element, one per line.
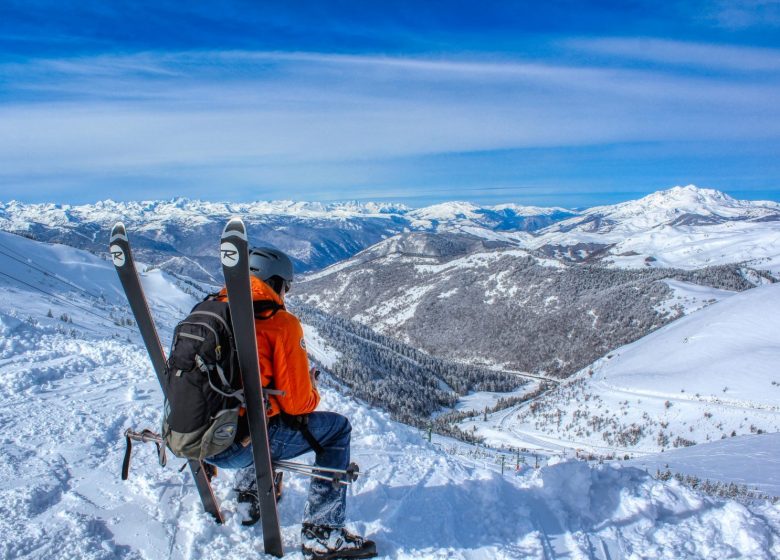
<point x="464" y="281"/>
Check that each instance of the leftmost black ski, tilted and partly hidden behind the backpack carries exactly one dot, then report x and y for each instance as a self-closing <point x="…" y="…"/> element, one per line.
<point x="122" y="256"/>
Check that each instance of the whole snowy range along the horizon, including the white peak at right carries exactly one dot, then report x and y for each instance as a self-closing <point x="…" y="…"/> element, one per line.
<point x="684" y="227"/>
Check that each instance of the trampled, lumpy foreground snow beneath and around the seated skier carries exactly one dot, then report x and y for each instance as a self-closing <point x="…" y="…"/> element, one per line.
<point x="63" y="448"/>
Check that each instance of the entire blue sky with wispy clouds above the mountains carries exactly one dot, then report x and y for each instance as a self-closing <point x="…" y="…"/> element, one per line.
<point x="559" y="103"/>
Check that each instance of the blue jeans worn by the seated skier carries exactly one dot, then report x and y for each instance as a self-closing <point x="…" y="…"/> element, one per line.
<point x="326" y="504"/>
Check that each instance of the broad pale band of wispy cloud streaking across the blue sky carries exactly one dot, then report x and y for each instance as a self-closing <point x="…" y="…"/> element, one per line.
<point x="268" y="119"/>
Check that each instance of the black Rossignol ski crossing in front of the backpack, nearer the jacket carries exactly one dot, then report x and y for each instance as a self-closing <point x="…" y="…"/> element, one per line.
<point x="234" y="254"/>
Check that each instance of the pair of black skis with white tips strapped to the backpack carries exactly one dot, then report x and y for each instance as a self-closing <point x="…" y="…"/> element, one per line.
<point x="234" y="254"/>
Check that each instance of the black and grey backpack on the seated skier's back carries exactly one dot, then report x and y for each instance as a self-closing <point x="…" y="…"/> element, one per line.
<point x="202" y="383"/>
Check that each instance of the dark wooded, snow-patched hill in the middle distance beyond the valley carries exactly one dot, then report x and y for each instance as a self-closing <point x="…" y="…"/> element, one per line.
<point x="487" y="302"/>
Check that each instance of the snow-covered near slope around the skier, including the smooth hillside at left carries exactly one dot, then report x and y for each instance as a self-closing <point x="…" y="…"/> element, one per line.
<point x="70" y="386"/>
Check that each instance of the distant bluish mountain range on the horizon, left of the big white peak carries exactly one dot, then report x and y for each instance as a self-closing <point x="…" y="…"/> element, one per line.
<point x="179" y="235"/>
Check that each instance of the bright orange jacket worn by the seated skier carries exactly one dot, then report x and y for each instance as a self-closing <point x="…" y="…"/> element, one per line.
<point x="281" y="352"/>
